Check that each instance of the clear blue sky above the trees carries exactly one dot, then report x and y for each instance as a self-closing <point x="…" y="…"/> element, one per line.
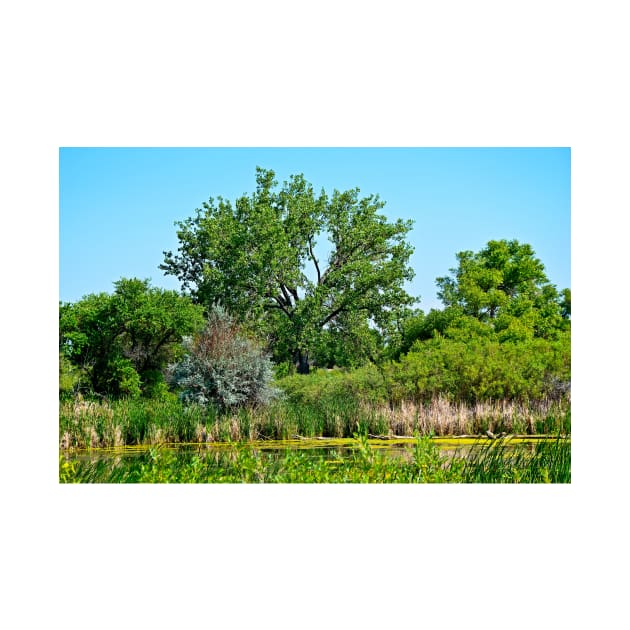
<point x="118" y="205"/>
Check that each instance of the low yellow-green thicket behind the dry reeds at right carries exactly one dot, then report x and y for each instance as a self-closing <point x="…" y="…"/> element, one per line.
<point x="470" y="370"/>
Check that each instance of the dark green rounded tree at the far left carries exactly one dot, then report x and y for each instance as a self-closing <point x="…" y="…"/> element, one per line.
<point x="123" y="341"/>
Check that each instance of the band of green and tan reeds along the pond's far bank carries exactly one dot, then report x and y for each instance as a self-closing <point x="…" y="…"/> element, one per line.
<point x="85" y="424"/>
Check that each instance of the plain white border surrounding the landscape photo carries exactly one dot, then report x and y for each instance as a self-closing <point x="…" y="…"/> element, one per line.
<point x="312" y="74"/>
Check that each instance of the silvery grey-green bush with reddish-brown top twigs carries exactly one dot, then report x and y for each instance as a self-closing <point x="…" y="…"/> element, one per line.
<point x="222" y="367"/>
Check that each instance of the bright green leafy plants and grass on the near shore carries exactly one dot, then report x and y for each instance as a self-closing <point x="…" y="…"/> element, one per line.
<point x="494" y="462"/>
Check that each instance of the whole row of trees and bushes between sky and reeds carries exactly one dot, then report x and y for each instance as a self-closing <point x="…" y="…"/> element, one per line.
<point x="249" y="312"/>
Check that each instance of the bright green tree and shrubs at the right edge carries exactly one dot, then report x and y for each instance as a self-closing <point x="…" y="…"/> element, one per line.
<point x="504" y="333"/>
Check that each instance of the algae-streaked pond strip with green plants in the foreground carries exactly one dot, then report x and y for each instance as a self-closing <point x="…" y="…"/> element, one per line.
<point x="318" y="460"/>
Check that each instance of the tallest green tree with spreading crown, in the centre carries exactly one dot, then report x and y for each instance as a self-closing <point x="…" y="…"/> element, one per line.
<point x="260" y="258"/>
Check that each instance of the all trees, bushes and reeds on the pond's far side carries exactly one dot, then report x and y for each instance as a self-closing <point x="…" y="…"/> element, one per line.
<point x="273" y="337"/>
